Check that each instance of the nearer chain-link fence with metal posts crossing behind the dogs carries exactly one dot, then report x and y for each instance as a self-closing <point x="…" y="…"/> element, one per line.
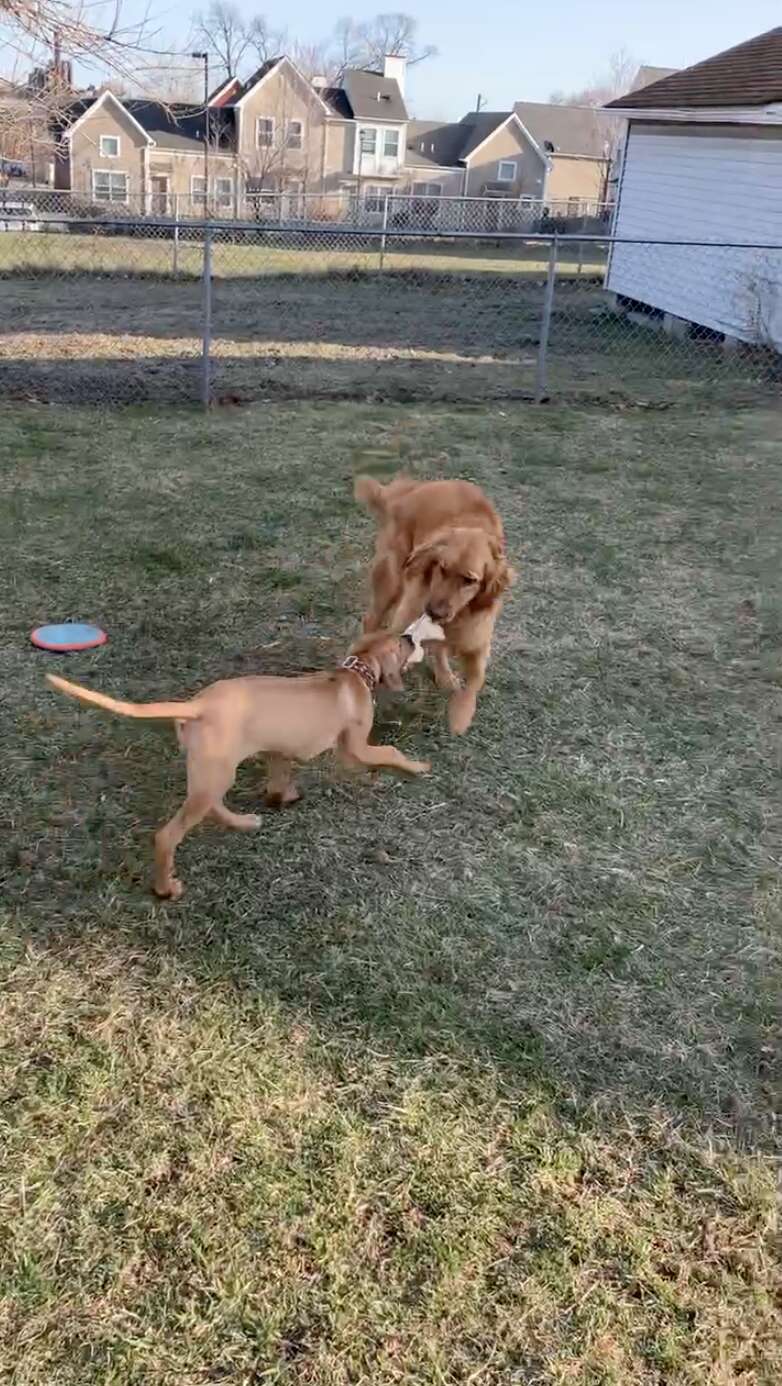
<point x="116" y="311"/>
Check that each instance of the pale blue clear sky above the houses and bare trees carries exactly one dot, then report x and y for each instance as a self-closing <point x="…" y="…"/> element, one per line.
<point x="508" y="51"/>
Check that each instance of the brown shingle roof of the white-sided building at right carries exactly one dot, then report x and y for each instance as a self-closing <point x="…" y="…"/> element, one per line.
<point x="748" y="76"/>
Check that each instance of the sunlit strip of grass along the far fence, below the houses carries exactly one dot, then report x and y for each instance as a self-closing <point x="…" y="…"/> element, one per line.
<point x="285" y="254"/>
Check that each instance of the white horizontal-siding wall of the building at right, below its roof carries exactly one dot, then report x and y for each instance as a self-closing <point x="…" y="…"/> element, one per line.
<point x="708" y="185"/>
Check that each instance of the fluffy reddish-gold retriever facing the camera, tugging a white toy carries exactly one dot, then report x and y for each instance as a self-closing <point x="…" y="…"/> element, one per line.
<point x="442" y="551"/>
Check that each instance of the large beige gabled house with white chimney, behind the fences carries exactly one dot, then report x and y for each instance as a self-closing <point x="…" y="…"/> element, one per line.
<point x="275" y="134"/>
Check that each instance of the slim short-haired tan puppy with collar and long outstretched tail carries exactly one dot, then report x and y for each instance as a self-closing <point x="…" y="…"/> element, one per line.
<point x="285" y="719"/>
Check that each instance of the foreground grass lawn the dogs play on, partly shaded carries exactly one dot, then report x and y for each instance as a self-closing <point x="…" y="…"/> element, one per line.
<point x="458" y="1082"/>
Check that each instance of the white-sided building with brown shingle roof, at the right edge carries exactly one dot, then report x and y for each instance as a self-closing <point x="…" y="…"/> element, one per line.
<point x="702" y="163"/>
